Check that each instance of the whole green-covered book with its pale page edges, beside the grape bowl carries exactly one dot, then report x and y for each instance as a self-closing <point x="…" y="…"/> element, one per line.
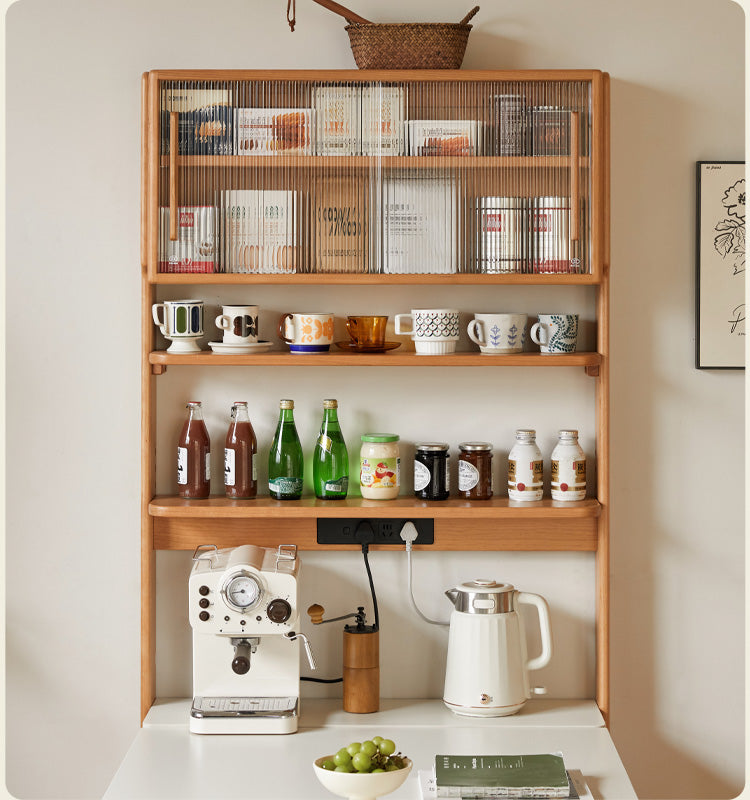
<point x="537" y="775"/>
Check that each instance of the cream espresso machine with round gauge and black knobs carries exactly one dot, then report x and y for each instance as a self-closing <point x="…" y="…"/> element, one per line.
<point x="243" y="611"/>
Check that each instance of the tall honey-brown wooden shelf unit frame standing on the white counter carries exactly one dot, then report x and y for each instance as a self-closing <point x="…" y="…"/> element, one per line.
<point x="172" y="523"/>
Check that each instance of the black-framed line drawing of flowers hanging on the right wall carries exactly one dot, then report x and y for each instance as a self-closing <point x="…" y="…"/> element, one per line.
<point x="720" y="265"/>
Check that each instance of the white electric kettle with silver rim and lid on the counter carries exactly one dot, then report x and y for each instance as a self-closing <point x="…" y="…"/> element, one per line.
<point x="487" y="670"/>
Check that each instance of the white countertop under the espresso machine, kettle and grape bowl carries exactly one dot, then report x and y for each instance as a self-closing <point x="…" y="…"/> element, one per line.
<point x="166" y="761"/>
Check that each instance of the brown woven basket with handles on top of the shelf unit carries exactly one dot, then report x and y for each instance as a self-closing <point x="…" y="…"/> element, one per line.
<point x="405" y="45"/>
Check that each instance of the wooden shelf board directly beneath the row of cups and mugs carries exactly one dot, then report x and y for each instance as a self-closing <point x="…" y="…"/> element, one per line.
<point x="339" y="358"/>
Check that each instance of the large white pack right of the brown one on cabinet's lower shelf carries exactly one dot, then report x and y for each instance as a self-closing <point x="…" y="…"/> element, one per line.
<point x="419" y="225"/>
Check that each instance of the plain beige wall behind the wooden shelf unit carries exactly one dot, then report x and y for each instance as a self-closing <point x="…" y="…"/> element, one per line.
<point x="73" y="82"/>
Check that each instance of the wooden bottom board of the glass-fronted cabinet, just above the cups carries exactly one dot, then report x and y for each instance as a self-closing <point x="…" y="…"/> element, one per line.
<point x="359" y="278"/>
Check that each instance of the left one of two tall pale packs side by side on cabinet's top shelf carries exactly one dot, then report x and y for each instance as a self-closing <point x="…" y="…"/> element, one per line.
<point x="337" y="112"/>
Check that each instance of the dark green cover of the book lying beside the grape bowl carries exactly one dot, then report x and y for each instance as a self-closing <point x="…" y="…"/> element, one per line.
<point x="539" y="771"/>
